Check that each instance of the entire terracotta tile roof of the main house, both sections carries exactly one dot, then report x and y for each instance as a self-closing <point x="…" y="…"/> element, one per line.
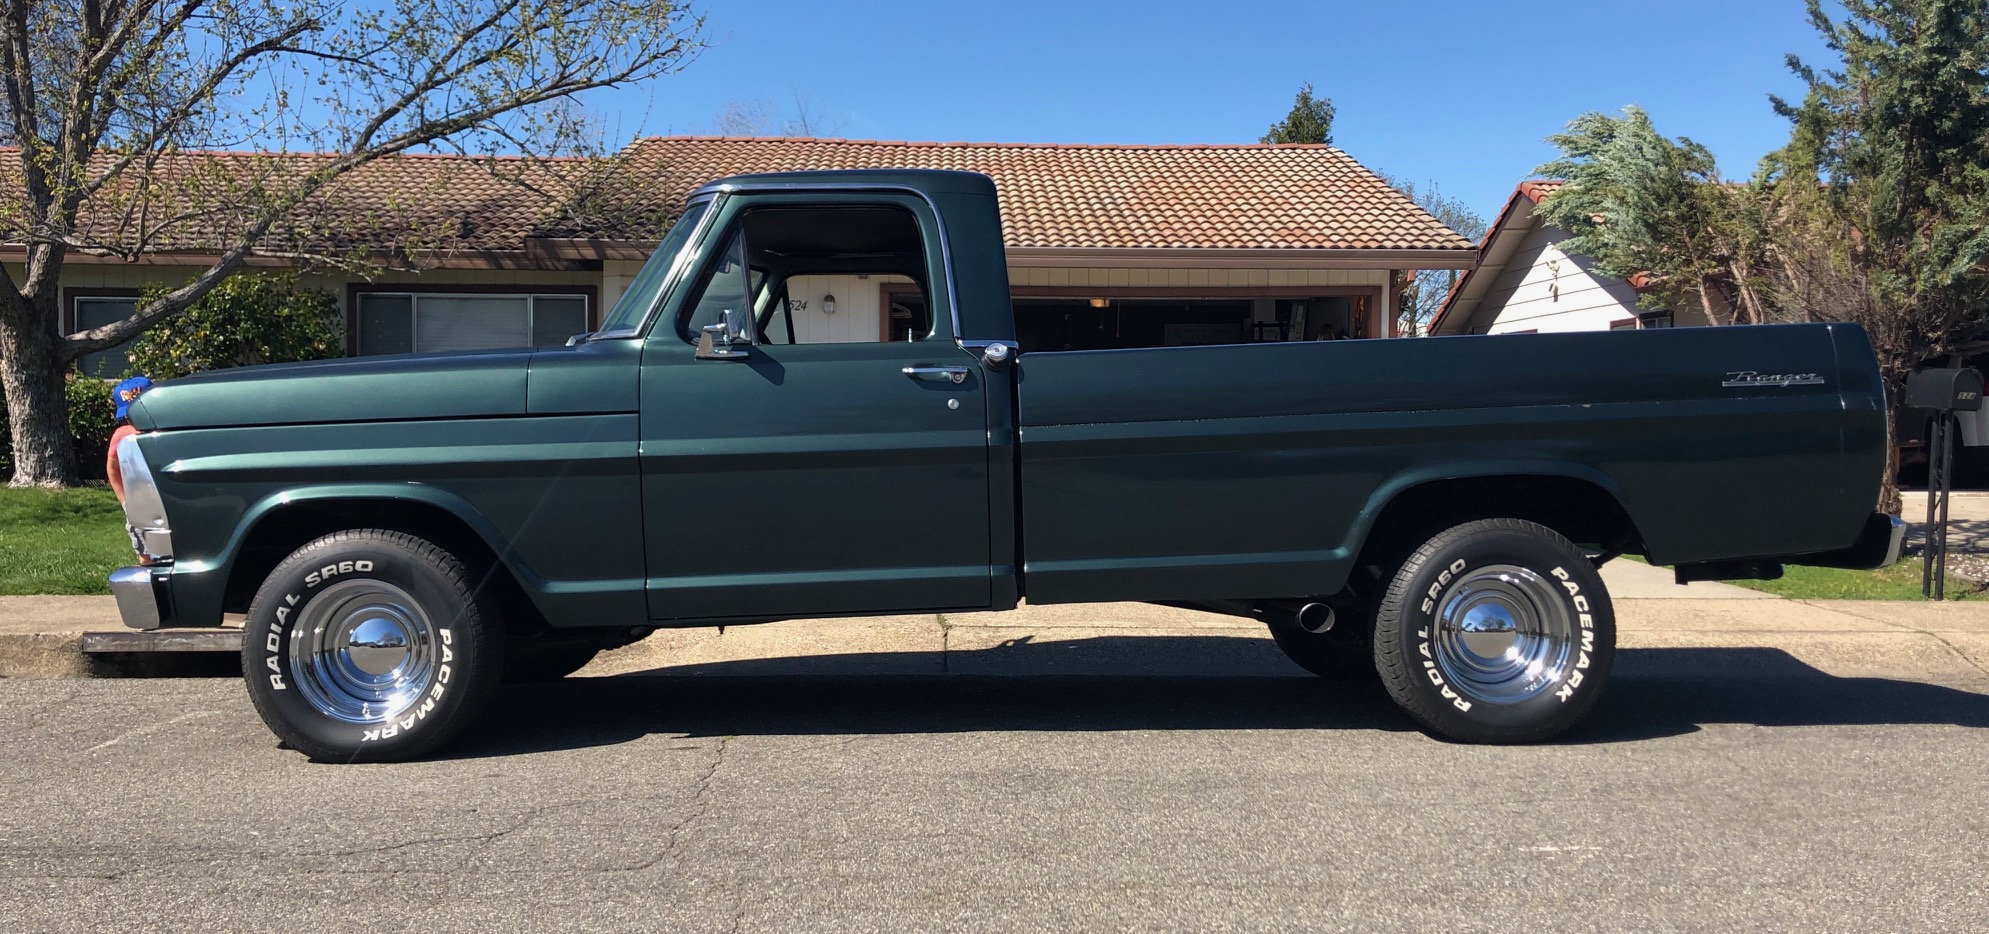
<point x="1053" y="196"/>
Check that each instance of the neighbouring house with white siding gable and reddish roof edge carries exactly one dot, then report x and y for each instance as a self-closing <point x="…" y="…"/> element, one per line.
<point x="1527" y="283"/>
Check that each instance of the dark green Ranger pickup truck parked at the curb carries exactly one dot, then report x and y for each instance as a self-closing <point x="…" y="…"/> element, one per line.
<point x="411" y="532"/>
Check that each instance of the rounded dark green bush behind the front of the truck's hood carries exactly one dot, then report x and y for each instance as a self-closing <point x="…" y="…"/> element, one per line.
<point x="248" y="319"/>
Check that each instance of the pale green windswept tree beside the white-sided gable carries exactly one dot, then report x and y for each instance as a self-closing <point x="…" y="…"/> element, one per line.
<point x="1640" y="204"/>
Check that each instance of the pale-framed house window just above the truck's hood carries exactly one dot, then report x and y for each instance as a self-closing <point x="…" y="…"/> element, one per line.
<point x="403" y="323"/>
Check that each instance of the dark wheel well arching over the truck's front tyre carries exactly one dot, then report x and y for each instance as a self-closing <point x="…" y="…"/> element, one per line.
<point x="295" y="526"/>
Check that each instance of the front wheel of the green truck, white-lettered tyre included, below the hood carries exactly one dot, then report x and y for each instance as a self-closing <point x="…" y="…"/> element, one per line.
<point x="371" y="647"/>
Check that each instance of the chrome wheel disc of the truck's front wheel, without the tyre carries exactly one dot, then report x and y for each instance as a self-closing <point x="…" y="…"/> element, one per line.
<point x="363" y="651"/>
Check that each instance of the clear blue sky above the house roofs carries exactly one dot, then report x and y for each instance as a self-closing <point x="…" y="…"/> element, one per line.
<point x="1427" y="90"/>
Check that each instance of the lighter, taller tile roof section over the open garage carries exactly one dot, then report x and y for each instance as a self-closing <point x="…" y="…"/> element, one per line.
<point x="1107" y="196"/>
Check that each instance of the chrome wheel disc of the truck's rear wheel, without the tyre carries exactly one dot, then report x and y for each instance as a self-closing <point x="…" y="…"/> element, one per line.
<point x="1503" y="635"/>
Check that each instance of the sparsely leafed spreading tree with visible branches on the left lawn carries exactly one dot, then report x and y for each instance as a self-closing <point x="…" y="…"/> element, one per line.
<point x="104" y="98"/>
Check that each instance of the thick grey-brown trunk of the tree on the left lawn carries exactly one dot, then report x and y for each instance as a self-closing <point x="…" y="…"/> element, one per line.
<point x="31" y="375"/>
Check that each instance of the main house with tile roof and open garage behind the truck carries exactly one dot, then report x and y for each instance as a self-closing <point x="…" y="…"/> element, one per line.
<point x="1107" y="245"/>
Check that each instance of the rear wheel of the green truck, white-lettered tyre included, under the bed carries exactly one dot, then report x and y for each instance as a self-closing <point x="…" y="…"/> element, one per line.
<point x="1497" y="633"/>
